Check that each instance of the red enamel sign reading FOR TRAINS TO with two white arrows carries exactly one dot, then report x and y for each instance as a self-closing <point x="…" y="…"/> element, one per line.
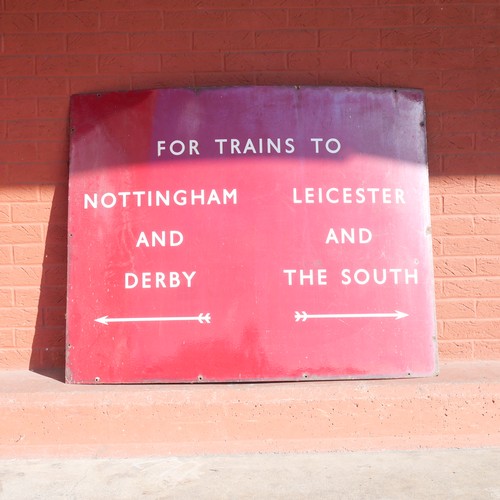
<point x="245" y="234"/>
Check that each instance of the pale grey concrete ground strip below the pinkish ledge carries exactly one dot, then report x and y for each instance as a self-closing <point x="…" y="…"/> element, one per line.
<point x="424" y="474"/>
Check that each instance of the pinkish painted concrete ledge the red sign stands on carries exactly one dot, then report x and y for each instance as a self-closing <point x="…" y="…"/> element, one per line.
<point x="41" y="416"/>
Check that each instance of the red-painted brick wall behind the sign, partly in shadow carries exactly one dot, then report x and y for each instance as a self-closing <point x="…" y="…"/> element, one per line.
<point x="53" y="48"/>
